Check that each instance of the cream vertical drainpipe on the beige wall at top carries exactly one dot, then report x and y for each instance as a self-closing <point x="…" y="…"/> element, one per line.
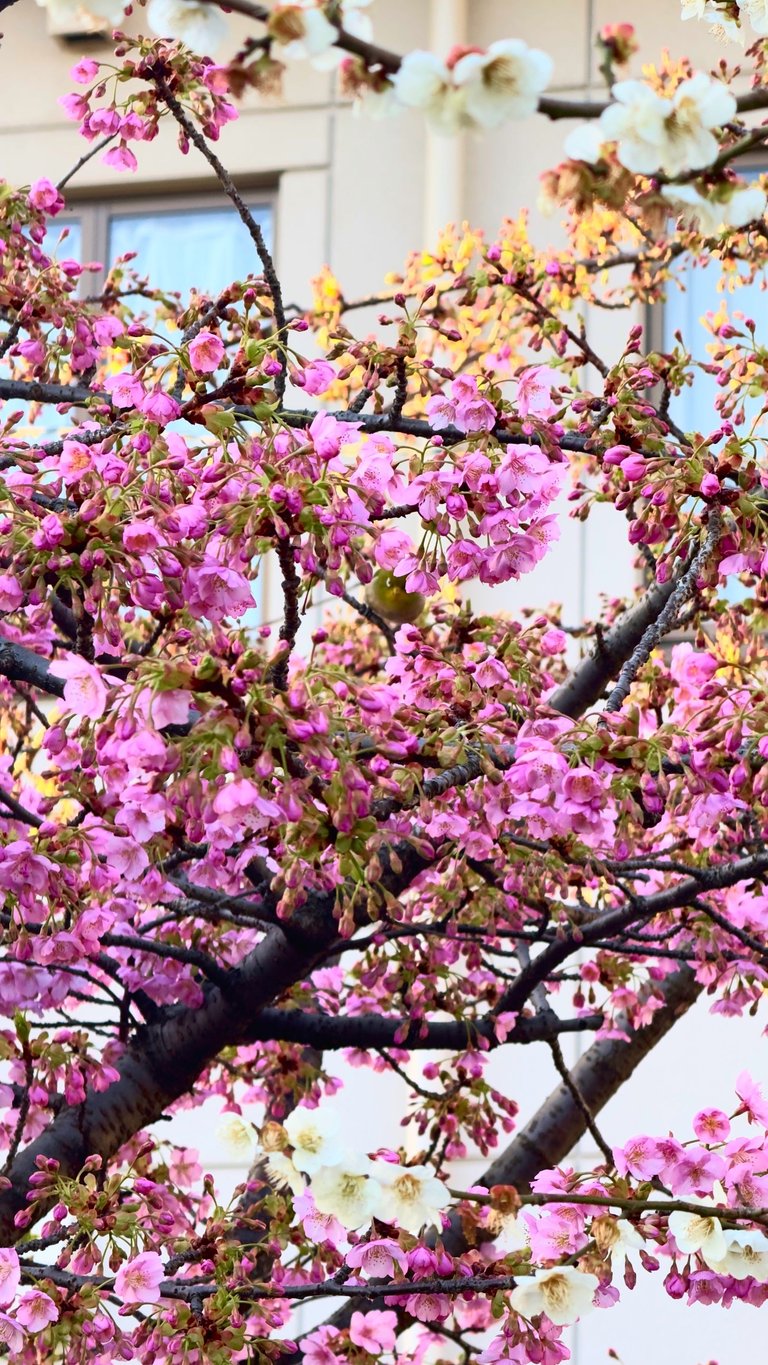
<point x="444" y="171"/>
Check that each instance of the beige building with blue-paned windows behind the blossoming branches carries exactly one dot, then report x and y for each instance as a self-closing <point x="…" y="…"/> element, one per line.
<point x="359" y="196"/>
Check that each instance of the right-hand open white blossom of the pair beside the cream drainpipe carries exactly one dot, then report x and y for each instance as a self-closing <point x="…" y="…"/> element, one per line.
<point x="505" y="83"/>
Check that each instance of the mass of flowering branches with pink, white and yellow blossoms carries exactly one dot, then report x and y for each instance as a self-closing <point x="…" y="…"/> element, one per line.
<point x="425" y="832"/>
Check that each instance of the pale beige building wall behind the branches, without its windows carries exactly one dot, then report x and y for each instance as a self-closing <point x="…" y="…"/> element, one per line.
<point x="361" y="196"/>
